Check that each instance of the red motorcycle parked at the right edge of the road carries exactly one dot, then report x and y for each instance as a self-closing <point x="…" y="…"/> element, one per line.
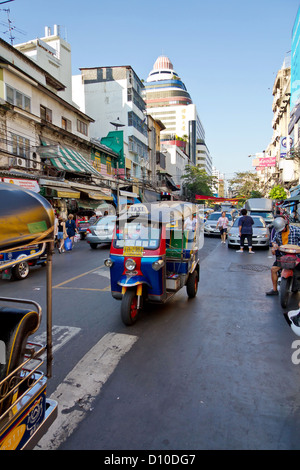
<point x="290" y="272"/>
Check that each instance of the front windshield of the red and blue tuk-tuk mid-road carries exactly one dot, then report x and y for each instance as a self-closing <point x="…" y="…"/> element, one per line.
<point x="138" y="233"/>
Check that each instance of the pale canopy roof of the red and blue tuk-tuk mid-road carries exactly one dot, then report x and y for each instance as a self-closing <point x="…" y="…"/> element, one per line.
<point x="165" y="211"/>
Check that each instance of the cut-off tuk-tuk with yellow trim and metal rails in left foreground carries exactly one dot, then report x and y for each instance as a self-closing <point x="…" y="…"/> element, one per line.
<point x="26" y="219"/>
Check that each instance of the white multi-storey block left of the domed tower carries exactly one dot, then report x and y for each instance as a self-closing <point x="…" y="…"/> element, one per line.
<point x="113" y="96"/>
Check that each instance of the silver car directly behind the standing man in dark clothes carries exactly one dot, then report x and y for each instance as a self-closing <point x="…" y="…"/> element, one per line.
<point x="260" y="237"/>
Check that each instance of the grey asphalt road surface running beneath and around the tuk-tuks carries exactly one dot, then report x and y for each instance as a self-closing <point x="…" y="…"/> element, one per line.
<point x="216" y="372"/>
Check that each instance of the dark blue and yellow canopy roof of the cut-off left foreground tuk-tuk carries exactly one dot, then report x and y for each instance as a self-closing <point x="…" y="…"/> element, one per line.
<point x="25" y="217"/>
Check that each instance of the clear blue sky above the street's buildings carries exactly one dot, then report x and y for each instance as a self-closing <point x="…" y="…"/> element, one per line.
<point x="226" y="52"/>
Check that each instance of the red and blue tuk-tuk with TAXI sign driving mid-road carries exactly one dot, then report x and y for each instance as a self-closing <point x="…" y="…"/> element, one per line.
<point x="154" y="253"/>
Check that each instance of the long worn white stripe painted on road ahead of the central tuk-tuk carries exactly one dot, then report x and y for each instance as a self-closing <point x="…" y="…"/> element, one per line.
<point x="79" y="389"/>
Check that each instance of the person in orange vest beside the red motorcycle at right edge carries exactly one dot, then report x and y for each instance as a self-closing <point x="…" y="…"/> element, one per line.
<point x="284" y="234"/>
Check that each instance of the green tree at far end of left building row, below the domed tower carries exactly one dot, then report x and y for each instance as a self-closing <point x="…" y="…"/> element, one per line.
<point x="197" y="181"/>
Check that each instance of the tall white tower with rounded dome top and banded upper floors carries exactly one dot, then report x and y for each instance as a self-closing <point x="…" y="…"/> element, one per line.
<point x="168" y="100"/>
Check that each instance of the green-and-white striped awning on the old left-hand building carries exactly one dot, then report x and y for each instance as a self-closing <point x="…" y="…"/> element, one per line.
<point x="67" y="159"/>
